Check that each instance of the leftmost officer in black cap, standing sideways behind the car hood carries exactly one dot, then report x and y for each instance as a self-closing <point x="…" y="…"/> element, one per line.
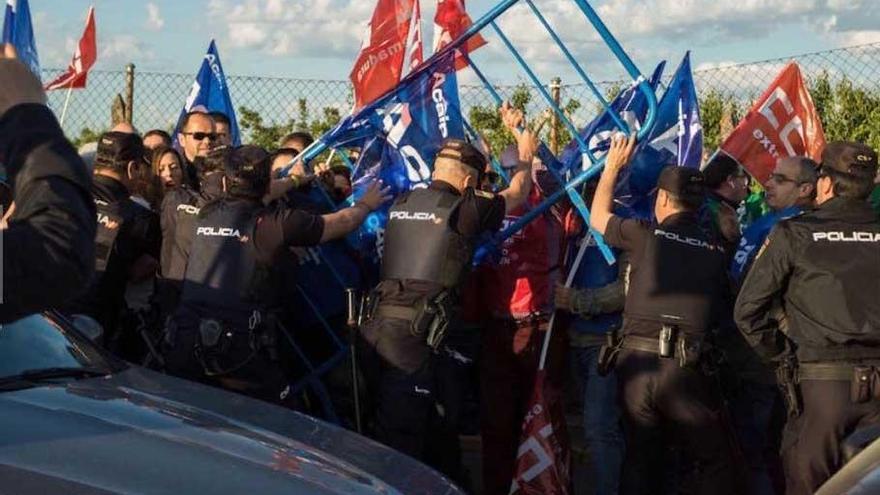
<point x="128" y="235"/>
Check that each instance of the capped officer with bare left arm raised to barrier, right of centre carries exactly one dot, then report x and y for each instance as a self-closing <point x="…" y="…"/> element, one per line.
<point x="677" y="282"/>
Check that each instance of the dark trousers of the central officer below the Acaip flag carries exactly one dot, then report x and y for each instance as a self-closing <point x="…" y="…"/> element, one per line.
<point x="415" y="412"/>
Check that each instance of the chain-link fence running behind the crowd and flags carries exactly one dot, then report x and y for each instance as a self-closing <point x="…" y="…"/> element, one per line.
<point x="158" y="97"/>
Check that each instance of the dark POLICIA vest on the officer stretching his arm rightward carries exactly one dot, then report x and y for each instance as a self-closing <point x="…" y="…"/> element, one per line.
<point x="223" y="277"/>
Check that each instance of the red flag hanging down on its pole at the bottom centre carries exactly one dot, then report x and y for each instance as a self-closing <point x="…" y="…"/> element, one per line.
<point x="543" y="463"/>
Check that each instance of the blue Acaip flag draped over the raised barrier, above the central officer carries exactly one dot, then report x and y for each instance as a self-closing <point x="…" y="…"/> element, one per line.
<point x="400" y="134"/>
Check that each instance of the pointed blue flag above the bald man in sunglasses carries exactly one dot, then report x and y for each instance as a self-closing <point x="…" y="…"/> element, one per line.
<point x="210" y="91"/>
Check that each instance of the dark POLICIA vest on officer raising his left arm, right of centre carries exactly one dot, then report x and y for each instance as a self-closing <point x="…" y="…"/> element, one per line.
<point x="678" y="278"/>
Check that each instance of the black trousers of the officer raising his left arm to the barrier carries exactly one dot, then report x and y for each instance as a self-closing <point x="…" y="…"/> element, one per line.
<point x="663" y="405"/>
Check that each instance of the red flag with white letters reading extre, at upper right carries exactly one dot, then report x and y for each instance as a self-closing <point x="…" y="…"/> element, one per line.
<point x="782" y="123"/>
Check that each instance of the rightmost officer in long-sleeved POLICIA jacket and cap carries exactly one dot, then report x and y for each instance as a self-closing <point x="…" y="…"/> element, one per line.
<point x="822" y="269"/>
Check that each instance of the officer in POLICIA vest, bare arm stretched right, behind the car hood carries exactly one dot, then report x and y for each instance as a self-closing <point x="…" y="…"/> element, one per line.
<point x="224" y="331"/>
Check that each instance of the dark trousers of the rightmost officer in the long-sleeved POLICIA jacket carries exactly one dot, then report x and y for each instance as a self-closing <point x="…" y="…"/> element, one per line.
<point x="811" y="442"/>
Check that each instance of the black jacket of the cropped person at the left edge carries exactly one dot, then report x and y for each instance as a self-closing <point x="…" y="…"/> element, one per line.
<point x="48" y="247"/>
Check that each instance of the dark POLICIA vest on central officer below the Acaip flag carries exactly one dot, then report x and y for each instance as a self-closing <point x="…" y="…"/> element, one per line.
<point x="420" y="243"/>
